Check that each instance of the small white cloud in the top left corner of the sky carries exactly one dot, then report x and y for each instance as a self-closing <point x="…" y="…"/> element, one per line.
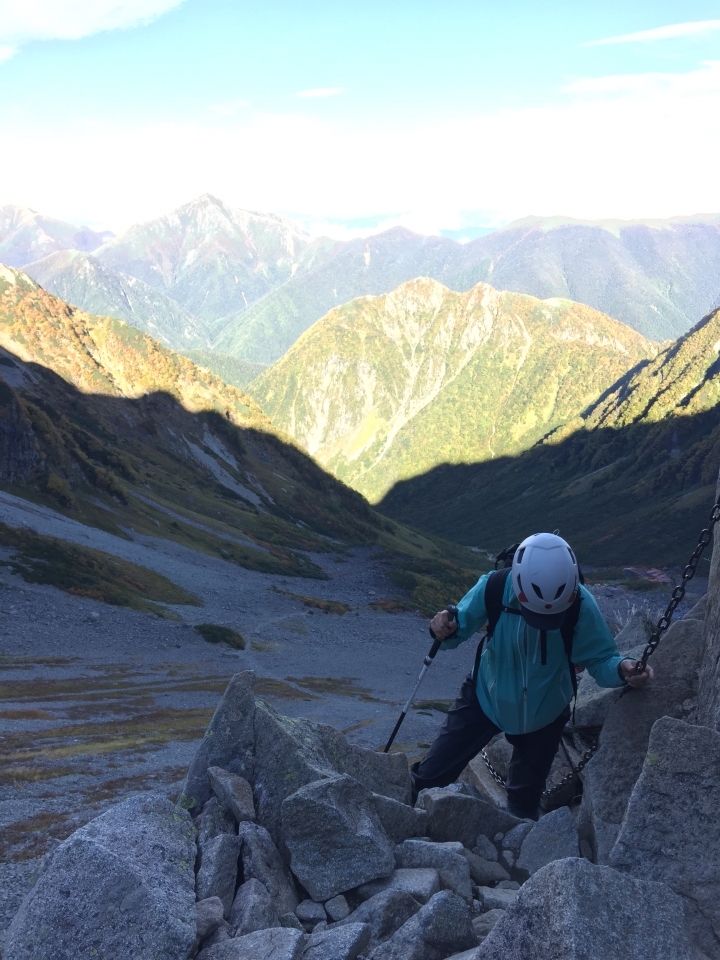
<point x="21" y="22"/>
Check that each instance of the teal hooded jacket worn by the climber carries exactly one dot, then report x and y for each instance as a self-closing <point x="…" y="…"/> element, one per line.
<point x="515" y="690"/>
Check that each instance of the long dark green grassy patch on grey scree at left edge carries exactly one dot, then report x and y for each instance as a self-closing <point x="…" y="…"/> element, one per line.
<point x="86" y="572"/>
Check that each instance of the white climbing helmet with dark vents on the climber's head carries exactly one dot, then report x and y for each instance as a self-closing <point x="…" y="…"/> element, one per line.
<point x="545" y="579"/>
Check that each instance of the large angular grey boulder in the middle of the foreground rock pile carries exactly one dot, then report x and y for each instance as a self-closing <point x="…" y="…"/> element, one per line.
<point x="335" y="838"/>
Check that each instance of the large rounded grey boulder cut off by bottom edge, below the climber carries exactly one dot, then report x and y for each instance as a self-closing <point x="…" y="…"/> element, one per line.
<point x="572" y="908"/>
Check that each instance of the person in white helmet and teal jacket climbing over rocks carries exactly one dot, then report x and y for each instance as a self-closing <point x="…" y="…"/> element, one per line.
<point x="541" y="622"/>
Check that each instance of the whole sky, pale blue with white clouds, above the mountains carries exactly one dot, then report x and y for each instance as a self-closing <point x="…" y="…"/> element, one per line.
<point x="453" y="116"/>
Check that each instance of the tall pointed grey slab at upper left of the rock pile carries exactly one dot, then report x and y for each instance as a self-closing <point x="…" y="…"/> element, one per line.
<point x="229" y="738"/>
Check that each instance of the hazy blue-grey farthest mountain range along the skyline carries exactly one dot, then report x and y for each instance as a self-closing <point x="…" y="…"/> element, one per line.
<point x="255" y="282"/>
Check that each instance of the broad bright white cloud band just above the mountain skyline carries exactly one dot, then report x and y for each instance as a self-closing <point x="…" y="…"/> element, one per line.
<point x="614" y="147"/>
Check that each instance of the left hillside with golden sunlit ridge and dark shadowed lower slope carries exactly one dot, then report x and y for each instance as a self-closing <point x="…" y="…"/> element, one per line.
<point x="104" y="424"/>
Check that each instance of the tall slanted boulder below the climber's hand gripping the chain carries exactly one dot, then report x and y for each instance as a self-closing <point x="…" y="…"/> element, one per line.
<point x="611" y="774"/>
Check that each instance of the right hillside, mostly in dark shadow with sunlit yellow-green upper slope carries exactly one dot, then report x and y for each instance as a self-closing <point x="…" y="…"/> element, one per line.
<point x="632" y="478"/>
